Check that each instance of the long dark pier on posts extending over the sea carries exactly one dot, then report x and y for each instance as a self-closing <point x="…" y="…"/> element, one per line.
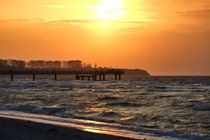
<point x="81" y="74"/>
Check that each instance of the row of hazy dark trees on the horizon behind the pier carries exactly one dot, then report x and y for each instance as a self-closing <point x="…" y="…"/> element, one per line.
<point x="20" y="64"/>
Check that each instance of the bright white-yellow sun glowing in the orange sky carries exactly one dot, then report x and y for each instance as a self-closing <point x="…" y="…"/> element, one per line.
<point x="109" y="10"/>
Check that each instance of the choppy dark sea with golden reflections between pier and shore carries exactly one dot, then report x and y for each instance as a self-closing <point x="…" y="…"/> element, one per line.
<point x="160" y="107"/>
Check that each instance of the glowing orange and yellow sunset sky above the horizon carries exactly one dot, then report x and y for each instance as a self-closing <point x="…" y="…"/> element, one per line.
<point x="165" y="37"/>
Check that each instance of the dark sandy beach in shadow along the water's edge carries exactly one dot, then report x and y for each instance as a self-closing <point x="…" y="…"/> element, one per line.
<point x="19" y="129"/>
